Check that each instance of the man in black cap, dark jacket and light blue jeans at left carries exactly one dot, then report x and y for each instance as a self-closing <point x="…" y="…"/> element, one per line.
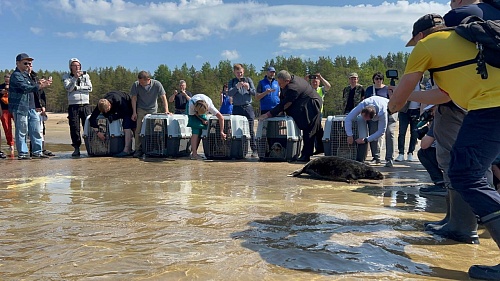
<point x="22" y="105"/>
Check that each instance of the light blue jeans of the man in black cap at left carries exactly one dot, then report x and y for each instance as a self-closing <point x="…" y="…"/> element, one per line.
<point x="27" y="123"/>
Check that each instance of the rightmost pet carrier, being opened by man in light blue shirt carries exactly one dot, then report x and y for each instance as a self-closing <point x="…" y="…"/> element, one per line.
<point x="335" y="138"/>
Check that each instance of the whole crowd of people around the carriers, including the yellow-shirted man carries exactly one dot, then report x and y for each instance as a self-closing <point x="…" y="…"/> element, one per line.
<point x="463" y="166"/>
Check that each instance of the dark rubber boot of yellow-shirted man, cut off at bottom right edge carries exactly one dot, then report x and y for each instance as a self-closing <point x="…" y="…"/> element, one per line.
<point x="484" y="272"/>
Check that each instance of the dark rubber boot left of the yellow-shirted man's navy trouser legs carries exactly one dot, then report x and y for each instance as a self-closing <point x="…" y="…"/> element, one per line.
<point x="462" y="223"/>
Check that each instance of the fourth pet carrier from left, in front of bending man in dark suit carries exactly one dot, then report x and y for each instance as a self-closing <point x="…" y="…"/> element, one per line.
<point x="278" y="139"/>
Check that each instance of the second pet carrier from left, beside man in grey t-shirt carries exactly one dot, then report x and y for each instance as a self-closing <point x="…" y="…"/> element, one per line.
<point x="164" y="135"/>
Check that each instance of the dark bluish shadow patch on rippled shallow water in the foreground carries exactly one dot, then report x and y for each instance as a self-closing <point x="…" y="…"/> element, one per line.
<point x="316" y="242"/>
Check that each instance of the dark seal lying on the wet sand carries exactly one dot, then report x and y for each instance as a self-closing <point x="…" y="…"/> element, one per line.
<point x="338" y="169"/>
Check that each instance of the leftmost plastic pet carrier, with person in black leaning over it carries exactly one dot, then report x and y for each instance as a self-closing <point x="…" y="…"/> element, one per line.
<point x="114" y="142"/>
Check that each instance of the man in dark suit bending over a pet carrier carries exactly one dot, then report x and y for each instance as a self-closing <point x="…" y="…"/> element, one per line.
<point x="303" y="104"/>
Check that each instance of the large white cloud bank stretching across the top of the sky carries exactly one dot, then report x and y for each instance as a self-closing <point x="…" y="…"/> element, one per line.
<point x="296" y="27"/>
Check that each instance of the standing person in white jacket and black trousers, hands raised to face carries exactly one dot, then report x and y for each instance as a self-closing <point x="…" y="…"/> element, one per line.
<point x="79" y="86"/>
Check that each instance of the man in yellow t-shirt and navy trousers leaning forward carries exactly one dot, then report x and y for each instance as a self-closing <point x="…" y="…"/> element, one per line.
<point x="478" y="141"/>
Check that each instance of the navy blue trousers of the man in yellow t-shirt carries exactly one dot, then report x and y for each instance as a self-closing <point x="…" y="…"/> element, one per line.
<point x="476" y="147"/>
